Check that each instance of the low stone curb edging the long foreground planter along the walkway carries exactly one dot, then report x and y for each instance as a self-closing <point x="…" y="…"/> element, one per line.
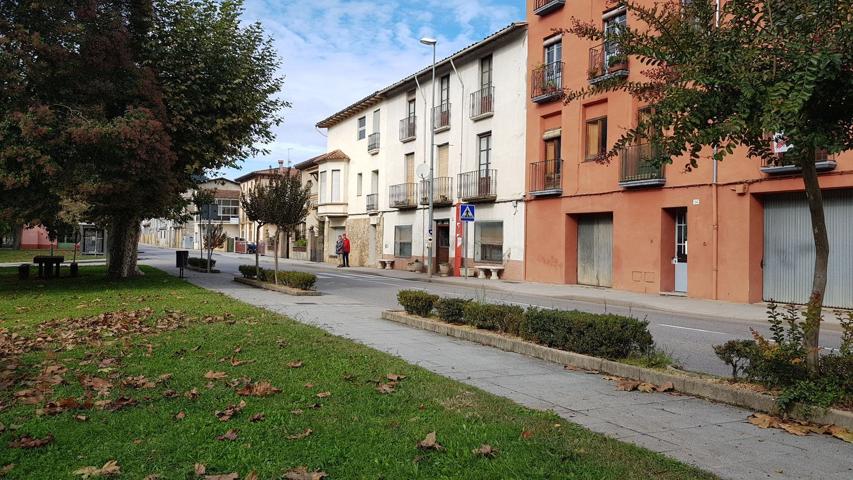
<point x="695" y="386"/>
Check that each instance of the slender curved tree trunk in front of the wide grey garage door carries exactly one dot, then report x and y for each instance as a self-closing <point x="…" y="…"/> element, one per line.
<point x="811" y="328"/>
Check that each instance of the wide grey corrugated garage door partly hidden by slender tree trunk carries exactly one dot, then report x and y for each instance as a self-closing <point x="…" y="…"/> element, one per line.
<point x="789" y="249"/>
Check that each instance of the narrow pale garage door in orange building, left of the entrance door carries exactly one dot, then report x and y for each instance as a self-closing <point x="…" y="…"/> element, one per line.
<point x="595" y="250"/>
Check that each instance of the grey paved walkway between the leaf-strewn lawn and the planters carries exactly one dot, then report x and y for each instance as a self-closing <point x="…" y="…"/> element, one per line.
<point x="714" y="437"/>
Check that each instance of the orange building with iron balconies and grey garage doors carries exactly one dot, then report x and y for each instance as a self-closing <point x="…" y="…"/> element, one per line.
<point x="737" y="231"/>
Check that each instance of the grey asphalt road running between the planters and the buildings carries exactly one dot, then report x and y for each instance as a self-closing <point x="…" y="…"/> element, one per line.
<point x="687" y="338"/>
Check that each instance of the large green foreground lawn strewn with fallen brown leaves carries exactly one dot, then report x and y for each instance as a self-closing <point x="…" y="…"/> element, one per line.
<point x="329" y="415"/>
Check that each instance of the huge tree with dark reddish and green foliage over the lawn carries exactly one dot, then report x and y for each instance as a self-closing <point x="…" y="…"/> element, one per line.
<point x="121" y="104"/>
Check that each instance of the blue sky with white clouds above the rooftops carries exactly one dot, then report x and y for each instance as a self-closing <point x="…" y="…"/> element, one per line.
<point x="335" y="52"/>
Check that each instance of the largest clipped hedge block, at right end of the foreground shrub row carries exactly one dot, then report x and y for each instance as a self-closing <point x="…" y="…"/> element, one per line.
<point x="608" y="336"/>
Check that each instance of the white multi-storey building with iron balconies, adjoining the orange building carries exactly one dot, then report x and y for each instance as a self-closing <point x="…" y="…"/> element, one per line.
<point x="369" y="185"/>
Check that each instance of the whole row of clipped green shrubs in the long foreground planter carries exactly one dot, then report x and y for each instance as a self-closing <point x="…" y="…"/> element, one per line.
<point x="608" y="336"/>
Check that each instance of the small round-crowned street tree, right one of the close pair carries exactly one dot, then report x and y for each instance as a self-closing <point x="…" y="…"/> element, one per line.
<point x="288" y="207"/>
